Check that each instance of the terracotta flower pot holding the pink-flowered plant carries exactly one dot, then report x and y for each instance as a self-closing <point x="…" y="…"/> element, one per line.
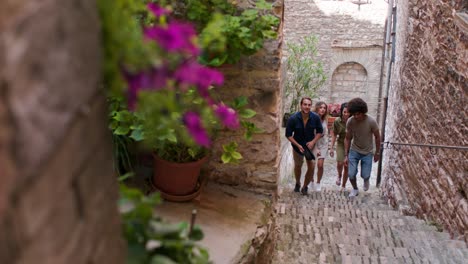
<point x="176" y="178"/>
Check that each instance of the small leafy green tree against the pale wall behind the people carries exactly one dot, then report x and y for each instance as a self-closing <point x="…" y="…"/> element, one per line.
<point x="305" y="72"/>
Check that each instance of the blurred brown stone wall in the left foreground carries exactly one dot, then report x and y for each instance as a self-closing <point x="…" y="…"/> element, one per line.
<point x="57" y="190"/>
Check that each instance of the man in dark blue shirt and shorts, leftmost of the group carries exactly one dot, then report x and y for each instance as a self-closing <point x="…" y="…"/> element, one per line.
<point x="303" y="130"/>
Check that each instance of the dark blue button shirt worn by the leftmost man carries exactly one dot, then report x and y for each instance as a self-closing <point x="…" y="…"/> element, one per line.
<point x="302" y="135"/>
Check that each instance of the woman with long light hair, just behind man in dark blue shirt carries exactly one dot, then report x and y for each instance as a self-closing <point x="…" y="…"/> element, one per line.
<point x="321" y="147"/>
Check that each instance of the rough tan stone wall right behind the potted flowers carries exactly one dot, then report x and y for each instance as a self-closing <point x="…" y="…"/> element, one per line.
<point x="258" y="78"/>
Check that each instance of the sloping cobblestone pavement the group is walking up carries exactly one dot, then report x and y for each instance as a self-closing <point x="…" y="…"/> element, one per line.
<point x="328" y="227"/>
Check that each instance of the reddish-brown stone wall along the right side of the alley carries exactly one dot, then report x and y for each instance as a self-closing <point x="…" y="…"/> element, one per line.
<point x="428" y="105"/>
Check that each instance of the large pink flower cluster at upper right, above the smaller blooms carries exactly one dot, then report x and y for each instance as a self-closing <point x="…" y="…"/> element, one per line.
<point x="192" y="73"/>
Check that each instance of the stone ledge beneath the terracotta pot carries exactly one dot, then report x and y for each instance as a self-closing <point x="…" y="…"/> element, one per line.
<point x="236" y="223"/>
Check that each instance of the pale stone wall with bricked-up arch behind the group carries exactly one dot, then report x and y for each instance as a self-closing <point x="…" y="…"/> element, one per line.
<point x="346" y="35"/>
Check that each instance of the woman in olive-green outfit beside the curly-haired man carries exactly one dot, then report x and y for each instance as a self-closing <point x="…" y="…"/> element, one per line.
<point x="339" y="131"/>
